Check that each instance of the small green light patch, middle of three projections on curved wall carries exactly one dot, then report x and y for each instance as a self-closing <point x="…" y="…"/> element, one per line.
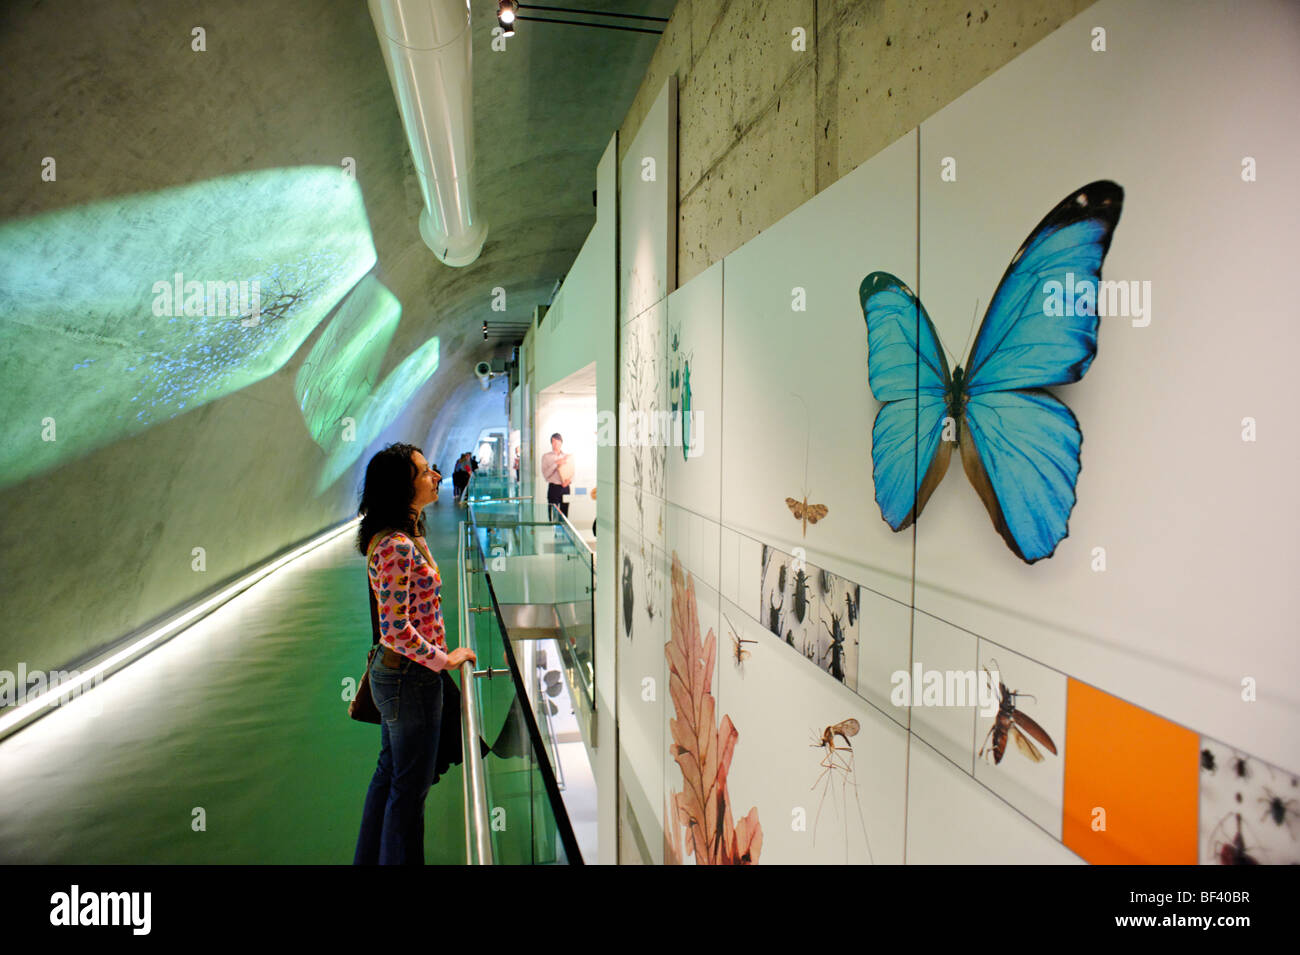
<point x="344" y="366"/>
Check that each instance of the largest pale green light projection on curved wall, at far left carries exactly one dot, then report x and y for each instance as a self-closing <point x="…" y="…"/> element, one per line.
<point x="124" y="314"/>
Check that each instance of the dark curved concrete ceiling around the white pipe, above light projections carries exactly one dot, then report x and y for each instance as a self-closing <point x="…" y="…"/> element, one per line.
<point x="114" y="92"/>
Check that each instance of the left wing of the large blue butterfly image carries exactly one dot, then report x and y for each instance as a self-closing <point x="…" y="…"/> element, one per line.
<point x="908" y="372"/>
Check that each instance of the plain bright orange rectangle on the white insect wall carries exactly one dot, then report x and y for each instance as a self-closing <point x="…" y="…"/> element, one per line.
<point x="1130" y="783"/>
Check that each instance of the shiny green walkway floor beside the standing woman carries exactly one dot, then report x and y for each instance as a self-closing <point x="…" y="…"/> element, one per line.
<point x="232" y="743"/>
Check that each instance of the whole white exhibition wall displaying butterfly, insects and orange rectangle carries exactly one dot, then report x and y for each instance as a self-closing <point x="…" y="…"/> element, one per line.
<point x="1041" y="662"/>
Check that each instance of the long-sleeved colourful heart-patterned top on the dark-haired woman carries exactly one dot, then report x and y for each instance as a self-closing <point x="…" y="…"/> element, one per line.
<point x="409" y="591"/>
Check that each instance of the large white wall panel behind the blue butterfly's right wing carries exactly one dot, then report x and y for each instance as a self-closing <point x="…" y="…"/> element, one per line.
<point x="1172" y="539"/>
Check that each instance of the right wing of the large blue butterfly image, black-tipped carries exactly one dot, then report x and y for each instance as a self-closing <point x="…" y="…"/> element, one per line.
<point x="1020" y="445"/>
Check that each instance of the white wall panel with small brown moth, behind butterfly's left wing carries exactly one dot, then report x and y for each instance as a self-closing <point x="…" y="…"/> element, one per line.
<point x="798" y="410"/>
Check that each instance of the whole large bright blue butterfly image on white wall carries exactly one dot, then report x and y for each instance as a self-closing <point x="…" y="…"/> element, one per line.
<point x="1020" y="445"/>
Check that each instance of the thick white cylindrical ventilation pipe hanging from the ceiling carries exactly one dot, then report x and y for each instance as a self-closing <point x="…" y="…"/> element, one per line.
<point x="426" y="47"/>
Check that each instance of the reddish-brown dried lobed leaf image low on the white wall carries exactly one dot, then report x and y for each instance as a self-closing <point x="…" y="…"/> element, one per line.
<point x="701" y="748"/>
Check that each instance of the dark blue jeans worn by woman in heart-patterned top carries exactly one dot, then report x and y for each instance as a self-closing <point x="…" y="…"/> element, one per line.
<point x="410" y="704"/>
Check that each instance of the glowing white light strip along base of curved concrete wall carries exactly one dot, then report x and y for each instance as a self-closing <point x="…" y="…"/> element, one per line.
<point x="116" y="661"/>
